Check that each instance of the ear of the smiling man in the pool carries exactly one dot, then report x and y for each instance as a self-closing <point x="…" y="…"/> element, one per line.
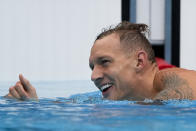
<point x="141" y="60"/>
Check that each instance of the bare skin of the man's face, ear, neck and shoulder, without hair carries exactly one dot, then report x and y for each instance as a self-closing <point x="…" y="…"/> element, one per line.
<point x="133" y="77"/>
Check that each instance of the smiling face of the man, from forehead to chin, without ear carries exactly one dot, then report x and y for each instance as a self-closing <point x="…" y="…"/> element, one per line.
<point x="113" y="71"/>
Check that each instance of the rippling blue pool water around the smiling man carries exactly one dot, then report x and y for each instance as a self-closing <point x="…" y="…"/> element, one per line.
<point x="88" y="111"/>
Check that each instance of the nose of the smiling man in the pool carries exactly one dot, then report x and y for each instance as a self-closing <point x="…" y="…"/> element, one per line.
<point x="96" y="74"/>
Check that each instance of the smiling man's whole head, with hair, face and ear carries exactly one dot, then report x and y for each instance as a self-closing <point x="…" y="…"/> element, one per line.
<point x="118" y="59"/>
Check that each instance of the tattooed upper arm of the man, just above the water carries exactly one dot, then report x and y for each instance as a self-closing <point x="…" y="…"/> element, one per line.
<point x="173" y="87"/>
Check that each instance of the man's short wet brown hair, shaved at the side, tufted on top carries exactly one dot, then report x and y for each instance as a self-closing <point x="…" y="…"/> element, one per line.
<point x="132" y="37"/>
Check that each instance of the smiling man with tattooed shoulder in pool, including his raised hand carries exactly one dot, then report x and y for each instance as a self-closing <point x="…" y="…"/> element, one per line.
<point x="124" y="68"/>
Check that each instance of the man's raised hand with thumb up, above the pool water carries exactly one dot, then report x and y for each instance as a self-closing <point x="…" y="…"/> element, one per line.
<point x="22" y="90"/>
